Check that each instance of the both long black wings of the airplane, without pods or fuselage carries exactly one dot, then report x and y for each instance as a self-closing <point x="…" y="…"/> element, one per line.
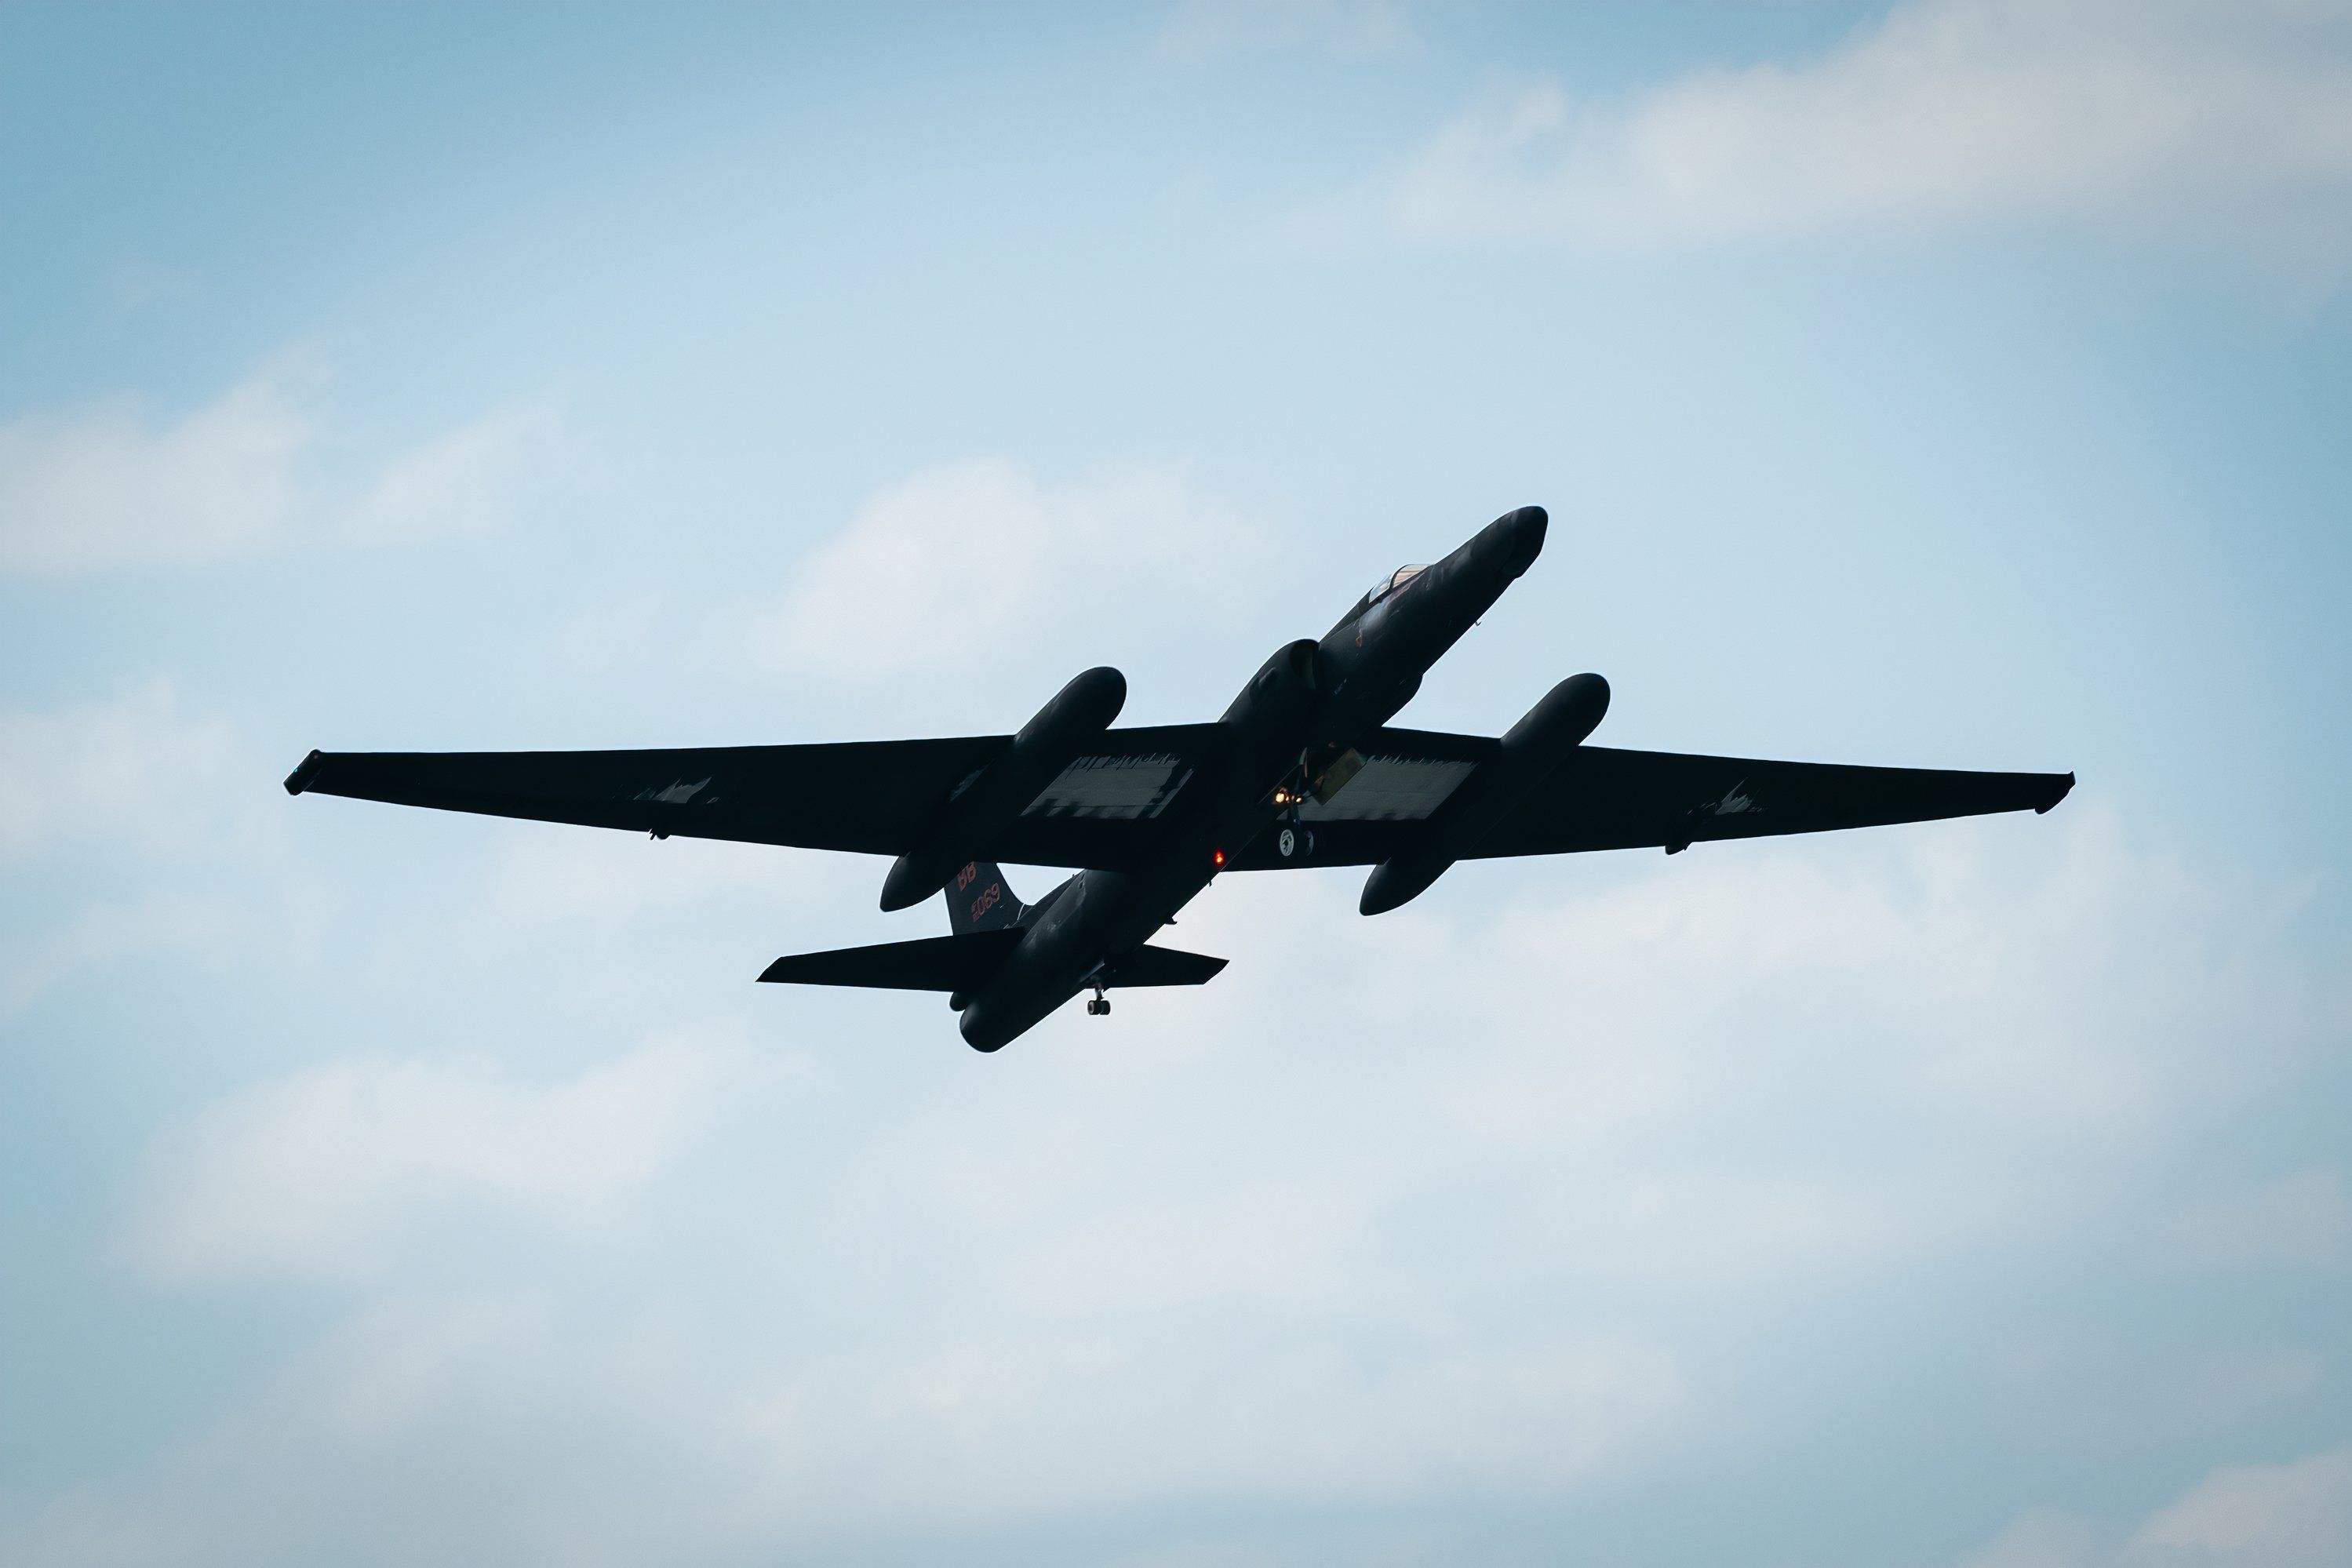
<point x="1107" y="808"/>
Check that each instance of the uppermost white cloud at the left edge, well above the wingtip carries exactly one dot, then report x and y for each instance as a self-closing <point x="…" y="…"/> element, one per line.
<point x="116" y="488"/>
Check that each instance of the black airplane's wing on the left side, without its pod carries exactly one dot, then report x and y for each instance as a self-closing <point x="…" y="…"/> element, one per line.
<point x="862" y="796"/>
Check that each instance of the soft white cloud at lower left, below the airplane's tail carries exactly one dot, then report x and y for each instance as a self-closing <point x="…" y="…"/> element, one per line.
<point x="328" y="1172"/>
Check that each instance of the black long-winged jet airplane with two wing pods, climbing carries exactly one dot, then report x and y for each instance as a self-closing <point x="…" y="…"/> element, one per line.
<point x="1302" y="772"/>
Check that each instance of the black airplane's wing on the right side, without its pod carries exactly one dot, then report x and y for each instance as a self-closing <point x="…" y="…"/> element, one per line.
<point x="1610" y="798"/>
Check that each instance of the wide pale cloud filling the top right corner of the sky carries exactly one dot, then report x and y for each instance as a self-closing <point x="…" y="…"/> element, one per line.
<point x="2210" y="121"/>
